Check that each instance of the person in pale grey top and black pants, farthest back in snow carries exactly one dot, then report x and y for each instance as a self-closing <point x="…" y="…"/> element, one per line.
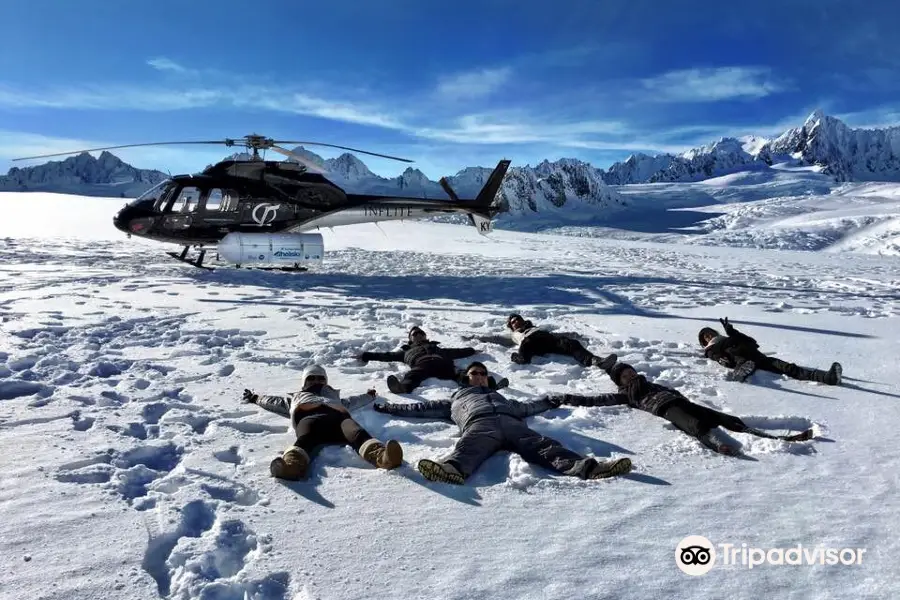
<point x="534" y="341"/>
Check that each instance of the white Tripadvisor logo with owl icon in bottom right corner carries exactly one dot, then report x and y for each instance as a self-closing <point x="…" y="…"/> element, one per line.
<point x="696" y="555"/>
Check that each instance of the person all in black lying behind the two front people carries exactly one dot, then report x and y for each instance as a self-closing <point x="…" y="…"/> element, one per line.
<point x="425" y="360"/>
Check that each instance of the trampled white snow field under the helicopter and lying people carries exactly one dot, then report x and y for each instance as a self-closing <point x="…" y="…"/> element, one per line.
<point x="132" y="470"/>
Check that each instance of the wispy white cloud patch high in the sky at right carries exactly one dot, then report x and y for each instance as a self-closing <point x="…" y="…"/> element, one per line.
<point x="710" y="85"/>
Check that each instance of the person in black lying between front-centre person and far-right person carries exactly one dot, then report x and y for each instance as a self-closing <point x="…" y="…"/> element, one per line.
<point x="695" y="420"/>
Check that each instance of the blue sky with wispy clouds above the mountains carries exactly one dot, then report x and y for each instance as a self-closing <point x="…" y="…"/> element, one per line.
<point x="448" y="85"/>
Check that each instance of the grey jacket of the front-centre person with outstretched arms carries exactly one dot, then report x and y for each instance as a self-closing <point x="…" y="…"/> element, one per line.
<point x="468" y="404"/>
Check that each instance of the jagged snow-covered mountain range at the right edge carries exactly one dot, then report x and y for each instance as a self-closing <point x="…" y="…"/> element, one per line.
<point x="822" y="141"/>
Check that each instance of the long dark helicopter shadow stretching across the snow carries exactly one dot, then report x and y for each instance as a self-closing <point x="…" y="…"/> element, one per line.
<point x="587" y="293"/>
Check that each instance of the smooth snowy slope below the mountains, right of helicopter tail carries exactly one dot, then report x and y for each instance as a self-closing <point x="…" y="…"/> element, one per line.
<point x="786" y="208"/>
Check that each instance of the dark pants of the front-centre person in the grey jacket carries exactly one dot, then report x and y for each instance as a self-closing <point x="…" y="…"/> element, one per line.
<point x="482" y="438"/>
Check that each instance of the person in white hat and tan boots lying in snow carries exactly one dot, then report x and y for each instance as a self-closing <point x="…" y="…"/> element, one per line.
<point x="319" y="416"/>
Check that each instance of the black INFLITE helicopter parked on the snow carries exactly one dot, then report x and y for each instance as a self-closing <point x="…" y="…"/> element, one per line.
<point x="257" y="212"/>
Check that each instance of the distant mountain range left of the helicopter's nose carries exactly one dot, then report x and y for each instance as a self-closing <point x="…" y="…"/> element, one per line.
<point x="106" y="175"/>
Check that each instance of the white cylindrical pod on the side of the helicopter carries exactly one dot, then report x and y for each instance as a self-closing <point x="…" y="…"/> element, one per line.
<point x="271" y="248"/>
